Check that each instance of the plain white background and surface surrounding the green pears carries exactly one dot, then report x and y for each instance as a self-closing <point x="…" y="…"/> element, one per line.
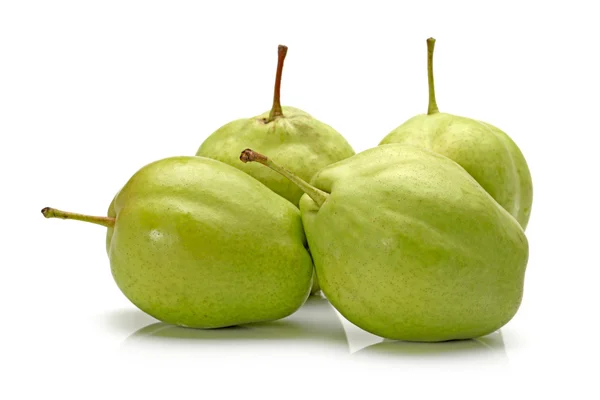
<point x="92" y="91"/>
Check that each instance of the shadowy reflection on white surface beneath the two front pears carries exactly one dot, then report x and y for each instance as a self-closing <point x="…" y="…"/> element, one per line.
<point x="315" y="327"/>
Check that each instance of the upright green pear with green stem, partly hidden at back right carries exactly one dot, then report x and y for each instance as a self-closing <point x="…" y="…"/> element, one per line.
<point x="486" y="152"/>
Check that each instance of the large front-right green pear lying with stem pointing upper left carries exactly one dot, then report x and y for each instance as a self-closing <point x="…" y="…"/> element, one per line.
<point x="408" y="246"/>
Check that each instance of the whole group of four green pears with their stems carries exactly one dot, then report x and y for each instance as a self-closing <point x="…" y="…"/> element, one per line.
<point x="420" y="238"/>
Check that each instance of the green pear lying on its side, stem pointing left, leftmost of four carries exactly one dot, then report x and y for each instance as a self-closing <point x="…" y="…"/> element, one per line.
<point x="197" y="243"/>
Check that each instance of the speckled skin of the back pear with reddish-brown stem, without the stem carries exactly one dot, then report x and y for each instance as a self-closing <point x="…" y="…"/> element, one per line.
<point x="298" y="141"/>
